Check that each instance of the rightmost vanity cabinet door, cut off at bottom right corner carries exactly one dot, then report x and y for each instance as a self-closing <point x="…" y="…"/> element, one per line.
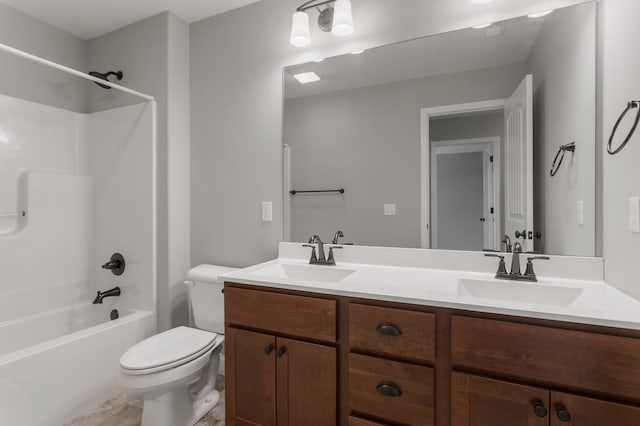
<point x="572" y="410"/>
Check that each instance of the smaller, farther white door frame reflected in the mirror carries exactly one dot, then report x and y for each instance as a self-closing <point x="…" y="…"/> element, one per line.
<point x="462" y="146"/>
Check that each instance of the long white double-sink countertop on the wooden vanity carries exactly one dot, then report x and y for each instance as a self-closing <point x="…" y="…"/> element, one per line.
<point x="562" y="299"/>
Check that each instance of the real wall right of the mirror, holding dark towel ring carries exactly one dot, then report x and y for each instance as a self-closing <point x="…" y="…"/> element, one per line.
<point x="621" y="61"/>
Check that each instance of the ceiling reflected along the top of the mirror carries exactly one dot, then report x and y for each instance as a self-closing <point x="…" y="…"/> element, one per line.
<point x="507" y="42"/>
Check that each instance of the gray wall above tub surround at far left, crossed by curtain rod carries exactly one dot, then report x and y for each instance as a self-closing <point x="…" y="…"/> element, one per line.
<point x="34" y="82"/>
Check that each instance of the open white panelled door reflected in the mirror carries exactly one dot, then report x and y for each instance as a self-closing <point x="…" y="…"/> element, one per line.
<point x="518" y="115"/>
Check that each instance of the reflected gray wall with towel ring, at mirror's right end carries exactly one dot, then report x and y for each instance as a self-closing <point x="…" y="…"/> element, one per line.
<point x="564" y="111"/>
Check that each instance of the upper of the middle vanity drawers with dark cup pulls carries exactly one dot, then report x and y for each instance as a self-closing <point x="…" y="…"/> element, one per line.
<point x="394" y="332"/>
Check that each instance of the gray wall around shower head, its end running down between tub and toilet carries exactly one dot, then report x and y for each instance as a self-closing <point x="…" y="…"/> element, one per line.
<point x="153" y="54"/>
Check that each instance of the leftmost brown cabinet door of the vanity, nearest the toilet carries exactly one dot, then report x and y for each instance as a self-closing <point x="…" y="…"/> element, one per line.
<point x="250" y="378"/>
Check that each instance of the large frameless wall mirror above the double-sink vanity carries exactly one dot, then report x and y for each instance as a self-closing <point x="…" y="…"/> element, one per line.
<point x="448" y="141"/>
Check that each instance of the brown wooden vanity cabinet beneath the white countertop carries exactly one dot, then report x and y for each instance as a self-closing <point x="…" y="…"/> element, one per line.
<point x="302" y="359"/>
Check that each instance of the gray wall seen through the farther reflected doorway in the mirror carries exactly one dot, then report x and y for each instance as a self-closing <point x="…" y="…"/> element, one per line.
<point x="460" y="201"/>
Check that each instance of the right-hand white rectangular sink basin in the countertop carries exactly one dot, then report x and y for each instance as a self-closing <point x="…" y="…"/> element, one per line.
<point x="517" y="291"/>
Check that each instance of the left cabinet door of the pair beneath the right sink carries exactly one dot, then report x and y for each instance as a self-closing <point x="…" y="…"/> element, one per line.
<point x="478" y="401"/>
